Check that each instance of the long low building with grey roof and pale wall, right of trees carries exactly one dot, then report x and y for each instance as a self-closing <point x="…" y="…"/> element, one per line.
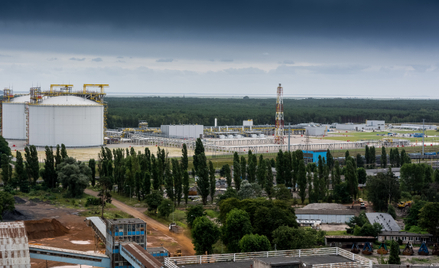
<point x="325" y="212"/>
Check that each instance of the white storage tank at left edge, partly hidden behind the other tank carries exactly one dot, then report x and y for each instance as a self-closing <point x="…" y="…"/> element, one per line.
<point x="14" y="118"/>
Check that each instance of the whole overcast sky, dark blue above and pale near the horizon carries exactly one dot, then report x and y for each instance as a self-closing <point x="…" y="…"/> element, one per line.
<point x="314" y="48"/>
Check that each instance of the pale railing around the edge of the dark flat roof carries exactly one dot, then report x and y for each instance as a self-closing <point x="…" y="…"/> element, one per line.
<point x="359" y="261"/>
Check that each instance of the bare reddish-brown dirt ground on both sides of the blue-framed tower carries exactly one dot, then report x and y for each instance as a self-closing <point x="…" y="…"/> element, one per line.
<point x="80" y="236"/>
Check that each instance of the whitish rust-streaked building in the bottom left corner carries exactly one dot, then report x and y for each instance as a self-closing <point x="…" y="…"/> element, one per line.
<point x="14" y="248"/>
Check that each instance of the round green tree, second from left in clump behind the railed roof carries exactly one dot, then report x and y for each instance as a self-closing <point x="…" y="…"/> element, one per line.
<point x="236" y="226"/>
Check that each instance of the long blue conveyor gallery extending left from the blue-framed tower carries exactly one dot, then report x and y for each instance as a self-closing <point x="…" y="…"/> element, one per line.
<point x="69" y="256"/>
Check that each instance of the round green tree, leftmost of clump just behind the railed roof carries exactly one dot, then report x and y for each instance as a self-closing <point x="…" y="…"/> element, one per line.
<point x="205" y="233"/>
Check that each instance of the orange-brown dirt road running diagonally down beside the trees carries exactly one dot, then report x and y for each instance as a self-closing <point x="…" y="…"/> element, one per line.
<point x="185" y="243"/>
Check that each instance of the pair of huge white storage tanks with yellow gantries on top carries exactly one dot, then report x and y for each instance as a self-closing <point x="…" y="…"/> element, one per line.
<point x="57" y="116"/>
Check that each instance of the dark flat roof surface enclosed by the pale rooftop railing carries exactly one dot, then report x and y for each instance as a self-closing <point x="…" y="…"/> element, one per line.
<point x="309" y="260"/>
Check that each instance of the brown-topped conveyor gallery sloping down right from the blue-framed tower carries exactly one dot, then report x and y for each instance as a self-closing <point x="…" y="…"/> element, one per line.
<point x="138" y="257"/>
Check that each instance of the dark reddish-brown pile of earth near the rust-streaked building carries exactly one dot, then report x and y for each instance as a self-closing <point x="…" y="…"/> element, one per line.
<point x="45" y="228"/>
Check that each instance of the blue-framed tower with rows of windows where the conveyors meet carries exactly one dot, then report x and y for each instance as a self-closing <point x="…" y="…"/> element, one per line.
<point x="123" y="231"/>
